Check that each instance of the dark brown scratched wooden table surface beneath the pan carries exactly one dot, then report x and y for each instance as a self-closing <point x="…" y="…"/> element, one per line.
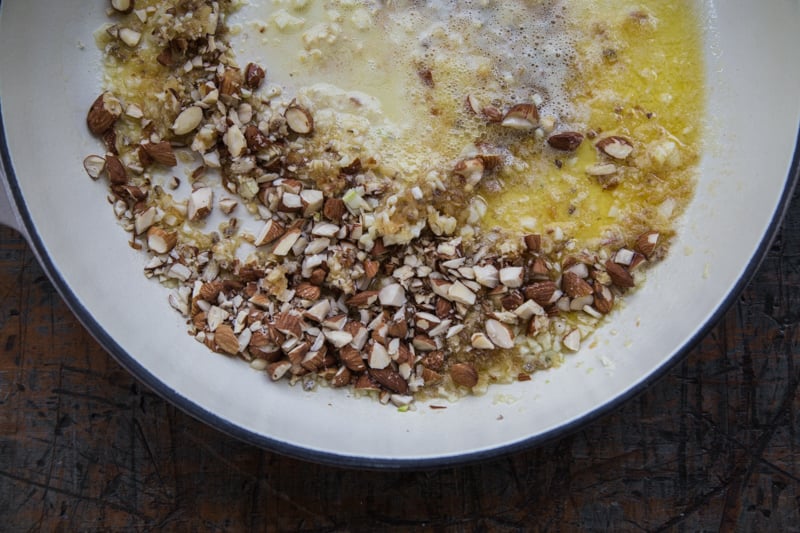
<point x="715" y="445"/>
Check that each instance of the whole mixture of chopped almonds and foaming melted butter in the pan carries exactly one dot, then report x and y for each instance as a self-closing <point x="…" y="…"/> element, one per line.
<point x="474" y="233"/>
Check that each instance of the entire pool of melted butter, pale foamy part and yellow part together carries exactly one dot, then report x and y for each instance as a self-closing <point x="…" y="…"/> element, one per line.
<point x="635" y="72"/>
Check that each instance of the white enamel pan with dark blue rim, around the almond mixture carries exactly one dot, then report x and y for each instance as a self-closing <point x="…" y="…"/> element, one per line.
<point x="49" y="76"/>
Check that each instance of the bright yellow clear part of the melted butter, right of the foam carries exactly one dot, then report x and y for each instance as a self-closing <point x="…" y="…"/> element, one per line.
<point x="639" y="75"/>
